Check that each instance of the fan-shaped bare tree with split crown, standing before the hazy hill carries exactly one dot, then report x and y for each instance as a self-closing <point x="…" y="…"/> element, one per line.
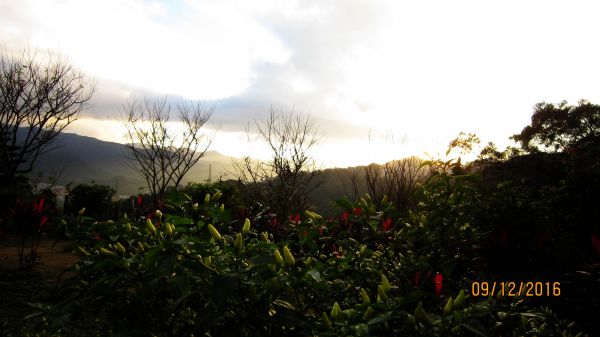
<point x="162" y="158"/>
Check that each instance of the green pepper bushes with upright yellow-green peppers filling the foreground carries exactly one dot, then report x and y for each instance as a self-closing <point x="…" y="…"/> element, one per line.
<point x="367" y="273"/>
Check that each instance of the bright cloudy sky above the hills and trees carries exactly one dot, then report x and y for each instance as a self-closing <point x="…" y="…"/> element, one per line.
<point x="382" y="79"/>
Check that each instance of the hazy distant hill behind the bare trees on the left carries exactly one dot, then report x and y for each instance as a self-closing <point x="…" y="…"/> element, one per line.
<point x="79" y="159"/>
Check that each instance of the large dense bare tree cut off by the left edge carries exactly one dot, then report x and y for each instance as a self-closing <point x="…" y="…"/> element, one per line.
<point x="38" y="99"/>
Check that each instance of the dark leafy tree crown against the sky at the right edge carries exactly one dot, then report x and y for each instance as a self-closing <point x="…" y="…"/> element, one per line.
<point x="555" y="127"/>
